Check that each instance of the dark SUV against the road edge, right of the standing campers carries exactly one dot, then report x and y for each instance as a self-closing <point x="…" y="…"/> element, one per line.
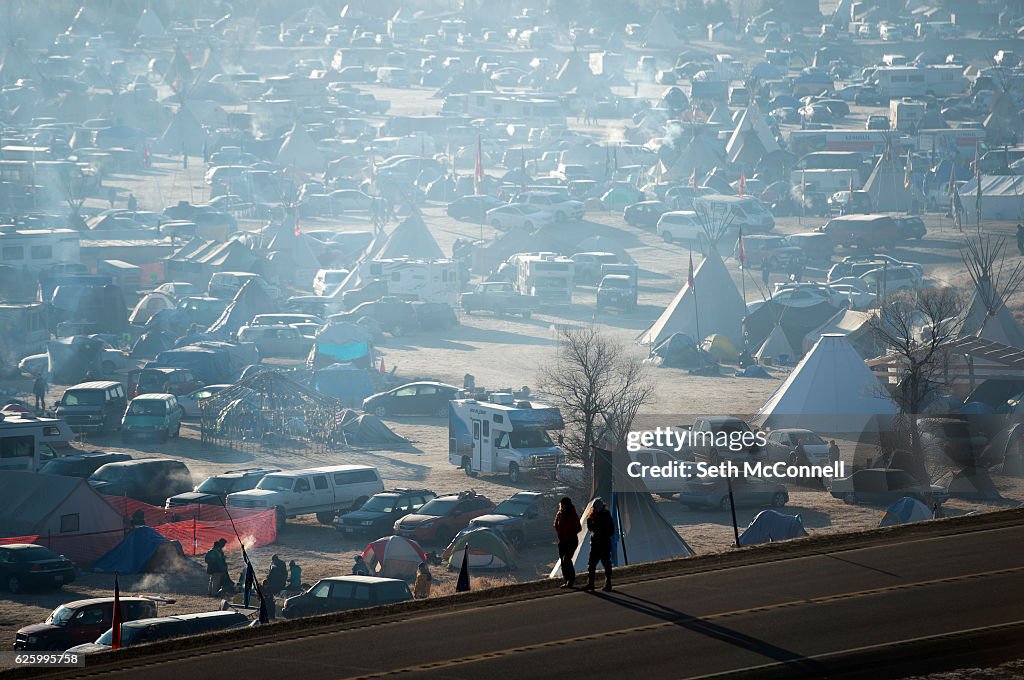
<point x="345" y="593"/>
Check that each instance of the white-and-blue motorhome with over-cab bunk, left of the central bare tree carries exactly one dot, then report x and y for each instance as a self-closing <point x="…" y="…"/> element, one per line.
<point x="503" y="436"/>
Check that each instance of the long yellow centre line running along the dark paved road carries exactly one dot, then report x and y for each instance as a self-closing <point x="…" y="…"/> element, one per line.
<point x="498" y="654"/>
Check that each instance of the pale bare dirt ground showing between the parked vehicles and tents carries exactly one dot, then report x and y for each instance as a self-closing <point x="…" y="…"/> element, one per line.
<point x="500" y="353"/>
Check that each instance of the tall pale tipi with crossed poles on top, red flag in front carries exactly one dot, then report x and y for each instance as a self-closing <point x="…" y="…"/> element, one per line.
<point x="713" y="297"/>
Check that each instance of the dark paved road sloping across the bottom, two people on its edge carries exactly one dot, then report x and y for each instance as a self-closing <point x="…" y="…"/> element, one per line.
<point x="793" y="615"/>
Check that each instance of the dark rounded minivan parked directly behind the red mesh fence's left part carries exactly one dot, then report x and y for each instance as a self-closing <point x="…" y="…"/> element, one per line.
<point x="152" y="481"/>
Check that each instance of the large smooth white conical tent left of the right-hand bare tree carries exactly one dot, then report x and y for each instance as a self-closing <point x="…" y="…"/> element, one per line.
<point x="831" y="391"/>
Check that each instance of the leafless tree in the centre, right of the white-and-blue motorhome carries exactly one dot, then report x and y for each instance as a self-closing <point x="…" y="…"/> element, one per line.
<point x="600" y="388"/>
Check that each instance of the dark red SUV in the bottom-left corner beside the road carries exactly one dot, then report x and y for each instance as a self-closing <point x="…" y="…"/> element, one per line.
<point x="81" y="622"/>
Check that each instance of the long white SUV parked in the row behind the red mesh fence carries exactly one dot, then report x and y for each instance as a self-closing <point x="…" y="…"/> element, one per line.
<point x="325" y="492"/>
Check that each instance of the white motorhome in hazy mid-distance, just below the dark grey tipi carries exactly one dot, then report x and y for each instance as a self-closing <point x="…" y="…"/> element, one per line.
<point x="428" y="281"/>
